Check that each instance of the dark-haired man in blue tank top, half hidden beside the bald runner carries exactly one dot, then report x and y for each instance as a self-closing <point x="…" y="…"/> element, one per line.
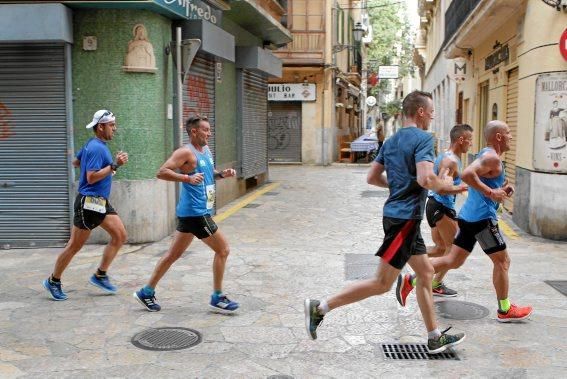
<point x="440" y="209"/>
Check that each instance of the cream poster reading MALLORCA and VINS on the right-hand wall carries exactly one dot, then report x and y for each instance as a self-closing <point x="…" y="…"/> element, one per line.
<point x="550" y="139"/>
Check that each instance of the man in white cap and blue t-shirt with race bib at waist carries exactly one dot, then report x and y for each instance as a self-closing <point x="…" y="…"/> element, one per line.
<point x="92" y="206"/>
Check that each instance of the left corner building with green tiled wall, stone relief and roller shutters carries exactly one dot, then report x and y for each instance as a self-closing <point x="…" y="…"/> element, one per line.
<point x="62" y="61"/>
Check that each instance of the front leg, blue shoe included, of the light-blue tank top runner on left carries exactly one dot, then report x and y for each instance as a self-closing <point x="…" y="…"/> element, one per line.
<point x="219" y="302"/>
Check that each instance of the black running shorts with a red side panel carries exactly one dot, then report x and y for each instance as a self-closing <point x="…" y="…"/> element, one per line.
<point x="402" y="239"/>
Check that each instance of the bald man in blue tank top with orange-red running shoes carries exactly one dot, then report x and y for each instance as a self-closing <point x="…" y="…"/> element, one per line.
<point x="478" y="220"/>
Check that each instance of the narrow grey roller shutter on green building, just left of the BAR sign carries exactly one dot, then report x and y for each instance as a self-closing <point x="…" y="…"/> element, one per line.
<point x="253" y="148"/>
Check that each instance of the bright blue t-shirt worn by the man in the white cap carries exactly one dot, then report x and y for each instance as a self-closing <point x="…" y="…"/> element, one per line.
<point x="94" y="156"/>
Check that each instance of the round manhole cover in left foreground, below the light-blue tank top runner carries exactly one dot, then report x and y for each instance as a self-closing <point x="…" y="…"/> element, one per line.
<point x="166" y="339"/>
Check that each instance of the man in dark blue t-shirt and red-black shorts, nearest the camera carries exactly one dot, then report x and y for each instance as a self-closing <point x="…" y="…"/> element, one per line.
<point x="407" y="159"/>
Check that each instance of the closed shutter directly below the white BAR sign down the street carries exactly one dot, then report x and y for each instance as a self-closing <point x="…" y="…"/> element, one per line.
<point x="284" y="132"/>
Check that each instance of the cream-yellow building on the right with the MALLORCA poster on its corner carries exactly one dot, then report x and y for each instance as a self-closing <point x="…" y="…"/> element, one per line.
<point x="506" y="56"/>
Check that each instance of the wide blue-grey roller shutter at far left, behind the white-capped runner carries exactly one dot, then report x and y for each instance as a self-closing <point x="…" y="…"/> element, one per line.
<point x="34" y="172"/>
